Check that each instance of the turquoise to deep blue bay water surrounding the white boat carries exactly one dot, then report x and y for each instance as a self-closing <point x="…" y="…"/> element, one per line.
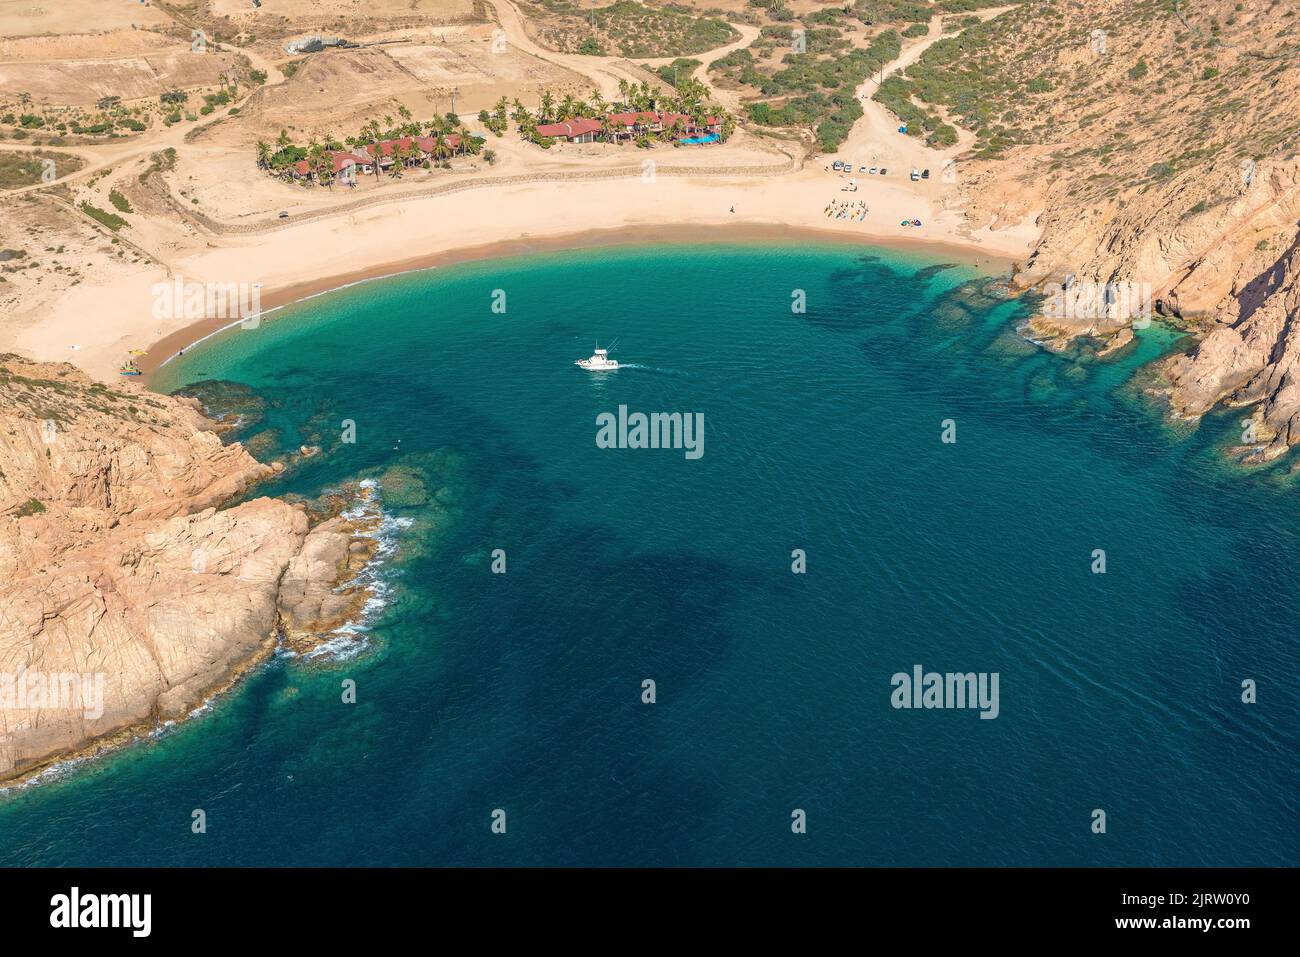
<point x="523" y="691"/>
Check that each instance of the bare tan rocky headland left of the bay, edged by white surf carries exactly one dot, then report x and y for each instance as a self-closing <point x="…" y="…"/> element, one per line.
<point x="127" y="595"/>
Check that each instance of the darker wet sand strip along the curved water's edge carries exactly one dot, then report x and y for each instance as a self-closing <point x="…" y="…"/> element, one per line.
<point x="179" y="341"/>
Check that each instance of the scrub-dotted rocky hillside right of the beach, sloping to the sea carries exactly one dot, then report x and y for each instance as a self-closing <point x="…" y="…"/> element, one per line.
<point x="1160" y="140"/>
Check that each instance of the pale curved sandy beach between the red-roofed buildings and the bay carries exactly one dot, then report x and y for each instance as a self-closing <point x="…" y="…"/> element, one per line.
<point x="105" y="322"/>
